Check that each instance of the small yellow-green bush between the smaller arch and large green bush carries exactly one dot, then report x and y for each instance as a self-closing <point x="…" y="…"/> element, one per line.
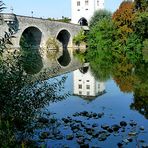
<point x="80" y="37"/>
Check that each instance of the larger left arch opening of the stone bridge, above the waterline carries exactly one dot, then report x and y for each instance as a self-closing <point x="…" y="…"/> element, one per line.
<point x="31" y="36"/>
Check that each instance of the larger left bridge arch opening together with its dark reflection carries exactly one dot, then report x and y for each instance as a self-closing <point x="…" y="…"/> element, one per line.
<point x="30" y="50"/>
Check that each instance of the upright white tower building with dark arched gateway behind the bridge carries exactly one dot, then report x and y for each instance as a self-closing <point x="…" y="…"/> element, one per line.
<point x="83" y="10"/>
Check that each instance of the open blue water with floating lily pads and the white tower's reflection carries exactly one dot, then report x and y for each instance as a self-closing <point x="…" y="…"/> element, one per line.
<point x="94" y="114"/>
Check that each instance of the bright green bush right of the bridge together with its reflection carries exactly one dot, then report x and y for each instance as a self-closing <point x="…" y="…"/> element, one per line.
<point x="100" y="46"/>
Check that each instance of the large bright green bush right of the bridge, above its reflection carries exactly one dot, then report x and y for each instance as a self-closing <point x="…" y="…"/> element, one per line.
<point x="101" y="38"/>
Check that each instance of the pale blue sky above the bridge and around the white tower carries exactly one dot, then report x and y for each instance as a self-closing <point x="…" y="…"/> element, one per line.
<point x="48" y="8"/>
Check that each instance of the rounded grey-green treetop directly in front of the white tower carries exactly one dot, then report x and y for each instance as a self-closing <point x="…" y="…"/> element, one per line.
<point x="98" y="16"/>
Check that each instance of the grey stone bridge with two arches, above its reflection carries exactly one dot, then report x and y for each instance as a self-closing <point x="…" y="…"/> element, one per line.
<point x="37" y="29"/>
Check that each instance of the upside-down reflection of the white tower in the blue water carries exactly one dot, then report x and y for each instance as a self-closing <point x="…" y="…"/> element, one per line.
<point x="85" y="85"/>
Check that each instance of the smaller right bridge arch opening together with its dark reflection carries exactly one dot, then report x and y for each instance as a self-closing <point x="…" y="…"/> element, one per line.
<point x="64" y="37"/>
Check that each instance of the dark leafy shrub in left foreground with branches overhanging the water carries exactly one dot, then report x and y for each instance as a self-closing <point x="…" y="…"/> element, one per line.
<point x="21" y="99"/>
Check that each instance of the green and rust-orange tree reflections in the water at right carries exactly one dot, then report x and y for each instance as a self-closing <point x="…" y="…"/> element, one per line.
<point x="129" y="78"/>
